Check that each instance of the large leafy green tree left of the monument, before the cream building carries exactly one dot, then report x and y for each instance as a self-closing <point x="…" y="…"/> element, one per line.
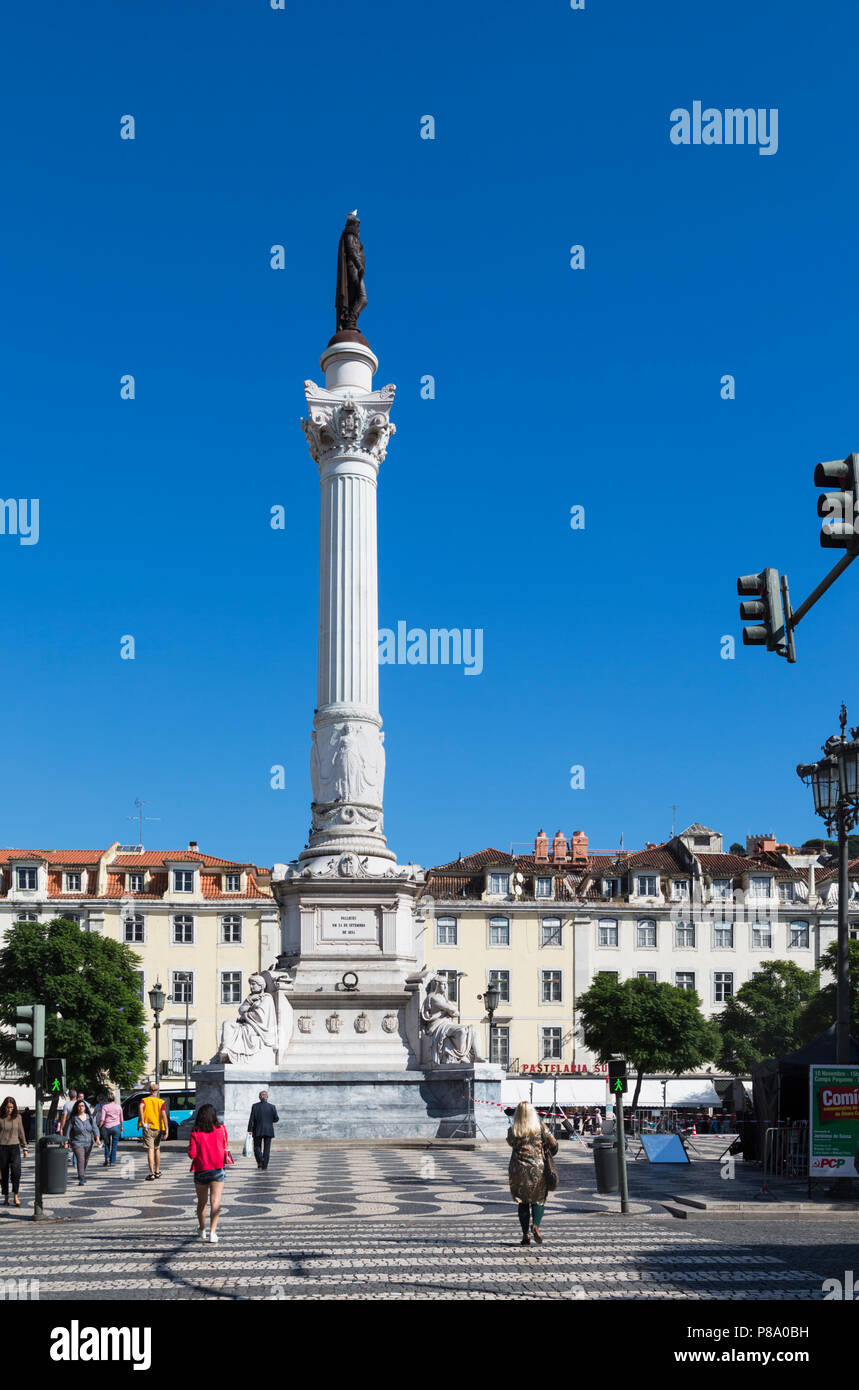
<point x="88" y="983"/>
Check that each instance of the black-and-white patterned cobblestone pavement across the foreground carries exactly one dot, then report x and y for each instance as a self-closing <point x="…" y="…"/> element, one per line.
<point x="387" y="1224"/>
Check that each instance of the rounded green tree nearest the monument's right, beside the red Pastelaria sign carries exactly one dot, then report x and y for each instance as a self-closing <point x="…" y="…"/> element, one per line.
<point x="658" y="1028"/>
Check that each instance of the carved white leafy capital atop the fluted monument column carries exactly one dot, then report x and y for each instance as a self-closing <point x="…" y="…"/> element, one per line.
<point x="348" y="426"/>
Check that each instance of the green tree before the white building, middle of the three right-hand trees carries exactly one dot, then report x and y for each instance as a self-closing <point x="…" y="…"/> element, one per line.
<point x="767" y="1015"/>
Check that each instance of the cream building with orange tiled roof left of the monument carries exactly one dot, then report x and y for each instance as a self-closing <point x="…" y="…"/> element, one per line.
<point x="199" y="925"/>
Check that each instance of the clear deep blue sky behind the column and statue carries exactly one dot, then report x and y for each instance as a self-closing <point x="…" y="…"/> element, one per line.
<point x="554" y="389"/>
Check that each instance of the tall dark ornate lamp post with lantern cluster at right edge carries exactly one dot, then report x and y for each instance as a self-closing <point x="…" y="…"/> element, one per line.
<point x="835" y="782"/>
